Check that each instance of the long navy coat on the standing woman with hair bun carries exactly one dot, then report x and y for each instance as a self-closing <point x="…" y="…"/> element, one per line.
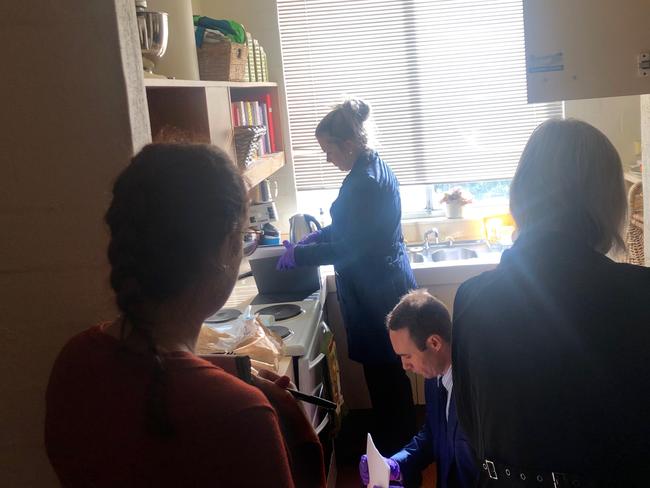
<point x="365" y="245"/>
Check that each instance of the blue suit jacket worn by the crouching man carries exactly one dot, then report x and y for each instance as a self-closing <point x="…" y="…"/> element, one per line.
<point x="441" y="441"/>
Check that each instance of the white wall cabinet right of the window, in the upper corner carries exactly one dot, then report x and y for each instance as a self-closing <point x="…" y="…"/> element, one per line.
<point x="585" y="48"/>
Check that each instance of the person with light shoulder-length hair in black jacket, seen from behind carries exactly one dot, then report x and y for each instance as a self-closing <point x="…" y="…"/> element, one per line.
<point x="551" y="375"/>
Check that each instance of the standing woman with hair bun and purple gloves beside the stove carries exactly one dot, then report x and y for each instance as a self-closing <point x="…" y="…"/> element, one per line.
<point x="365" y="245"/>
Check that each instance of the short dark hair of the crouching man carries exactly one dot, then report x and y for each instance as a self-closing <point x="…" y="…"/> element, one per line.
<point x="423" y="315"/>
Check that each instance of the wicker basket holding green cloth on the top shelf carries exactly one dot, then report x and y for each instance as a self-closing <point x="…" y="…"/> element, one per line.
<point x="222" y="61"/>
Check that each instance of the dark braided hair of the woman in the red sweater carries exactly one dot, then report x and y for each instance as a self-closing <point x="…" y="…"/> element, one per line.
<point x="172" y="209"/>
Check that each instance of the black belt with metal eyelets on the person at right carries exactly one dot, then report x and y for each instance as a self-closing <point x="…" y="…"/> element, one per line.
<point x="506" y="475"/>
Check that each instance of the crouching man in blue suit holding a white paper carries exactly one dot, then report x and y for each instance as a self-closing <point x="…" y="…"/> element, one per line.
<point x="420" y="332"/>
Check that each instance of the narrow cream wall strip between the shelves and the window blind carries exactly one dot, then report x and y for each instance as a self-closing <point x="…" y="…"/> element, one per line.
<point x="260" y="18"/>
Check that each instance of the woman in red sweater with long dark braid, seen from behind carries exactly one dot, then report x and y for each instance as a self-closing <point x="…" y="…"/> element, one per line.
<point x="128" y="402"/>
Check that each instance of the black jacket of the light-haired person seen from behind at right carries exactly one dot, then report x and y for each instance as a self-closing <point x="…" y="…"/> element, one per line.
<point x="552" y="364"/>
